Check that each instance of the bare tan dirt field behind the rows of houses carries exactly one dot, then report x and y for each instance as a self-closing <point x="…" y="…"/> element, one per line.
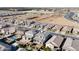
<point x="58" y="20"/>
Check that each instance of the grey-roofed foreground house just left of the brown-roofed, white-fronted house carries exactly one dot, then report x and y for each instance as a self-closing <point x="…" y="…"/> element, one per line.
<point x="42" y="37"/>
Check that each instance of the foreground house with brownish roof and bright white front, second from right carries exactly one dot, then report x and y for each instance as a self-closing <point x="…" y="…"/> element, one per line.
<point x="54" y="41"/>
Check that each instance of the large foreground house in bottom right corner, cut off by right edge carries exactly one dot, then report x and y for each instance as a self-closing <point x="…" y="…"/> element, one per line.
<point x="71" y="45"/>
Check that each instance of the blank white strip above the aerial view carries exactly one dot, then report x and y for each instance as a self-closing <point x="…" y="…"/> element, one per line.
<point x="39" y="3"/>
